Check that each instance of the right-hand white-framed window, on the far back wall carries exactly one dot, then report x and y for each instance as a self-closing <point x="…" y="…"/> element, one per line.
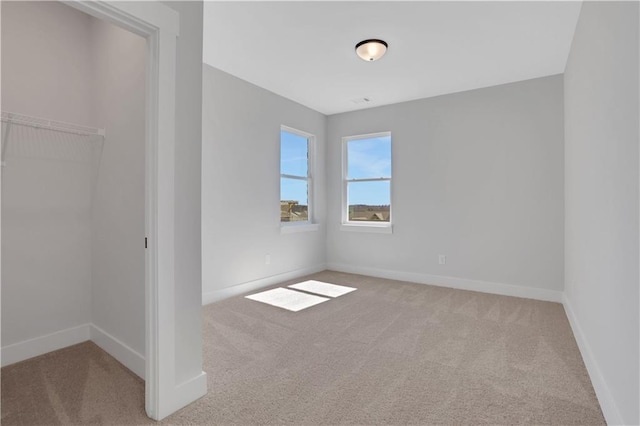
<point x="367" y="181"/>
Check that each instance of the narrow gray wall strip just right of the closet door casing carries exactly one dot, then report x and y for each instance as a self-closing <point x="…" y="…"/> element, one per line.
<point x="188" y="157"/>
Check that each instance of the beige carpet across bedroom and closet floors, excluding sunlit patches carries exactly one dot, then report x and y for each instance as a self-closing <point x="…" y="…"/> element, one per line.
<point x="389" y="353"/>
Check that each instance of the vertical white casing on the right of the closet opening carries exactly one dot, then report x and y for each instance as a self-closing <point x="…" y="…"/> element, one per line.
<point x="160" y="227"/>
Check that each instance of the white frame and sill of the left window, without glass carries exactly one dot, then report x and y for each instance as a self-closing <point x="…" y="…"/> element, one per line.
<point x="308" y="225"/>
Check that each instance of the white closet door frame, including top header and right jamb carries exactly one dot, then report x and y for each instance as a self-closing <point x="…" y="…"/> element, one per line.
<point x="159" y="25"/>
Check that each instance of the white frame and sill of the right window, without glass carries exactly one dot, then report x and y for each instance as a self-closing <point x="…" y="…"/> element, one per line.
<point x="360" y="226"/>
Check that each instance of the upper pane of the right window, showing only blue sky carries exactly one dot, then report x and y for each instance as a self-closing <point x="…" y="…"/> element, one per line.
<point x="369" y="158"/>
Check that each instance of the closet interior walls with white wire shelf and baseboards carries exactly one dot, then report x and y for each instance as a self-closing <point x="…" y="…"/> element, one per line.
<point x="73" y="139"/>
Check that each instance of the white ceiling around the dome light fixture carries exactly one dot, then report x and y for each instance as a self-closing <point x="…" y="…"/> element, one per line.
<point x="304" y="51"/>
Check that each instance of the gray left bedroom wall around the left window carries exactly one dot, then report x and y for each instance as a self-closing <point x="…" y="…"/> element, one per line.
<point x="241" y="185"/>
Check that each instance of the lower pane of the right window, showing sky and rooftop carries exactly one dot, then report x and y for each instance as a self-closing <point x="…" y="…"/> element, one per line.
<point x="369" y="201"/>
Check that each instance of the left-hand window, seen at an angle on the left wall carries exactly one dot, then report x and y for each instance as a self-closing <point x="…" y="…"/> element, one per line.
<point x="295" y="176"/>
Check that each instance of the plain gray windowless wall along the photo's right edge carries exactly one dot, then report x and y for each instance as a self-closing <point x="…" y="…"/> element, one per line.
<point x="601" y="186"/>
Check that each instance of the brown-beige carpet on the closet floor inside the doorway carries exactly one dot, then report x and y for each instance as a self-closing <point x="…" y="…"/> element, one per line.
<point x="78" y="385"/>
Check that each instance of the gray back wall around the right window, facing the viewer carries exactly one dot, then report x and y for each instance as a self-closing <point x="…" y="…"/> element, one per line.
<point x="477" y="176"/>
